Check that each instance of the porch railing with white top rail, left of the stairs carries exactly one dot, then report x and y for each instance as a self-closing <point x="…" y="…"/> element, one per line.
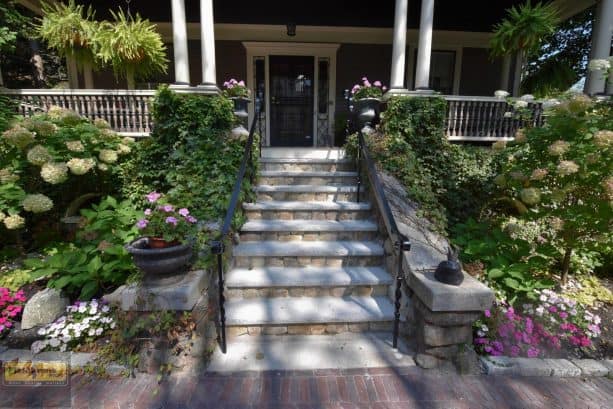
<point x="127" y="111"/>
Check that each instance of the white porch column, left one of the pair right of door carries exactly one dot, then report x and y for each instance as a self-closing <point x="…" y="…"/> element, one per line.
<point x="399" y="48"/>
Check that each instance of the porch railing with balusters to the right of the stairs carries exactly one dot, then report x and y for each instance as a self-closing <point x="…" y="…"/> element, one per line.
<point x="487" y="118"/>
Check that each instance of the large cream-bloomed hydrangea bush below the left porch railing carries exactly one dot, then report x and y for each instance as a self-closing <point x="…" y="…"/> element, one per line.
<point x="48" y="160"/>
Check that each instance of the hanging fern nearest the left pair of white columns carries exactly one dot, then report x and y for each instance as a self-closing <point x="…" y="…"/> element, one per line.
<point x="131" y="46"/>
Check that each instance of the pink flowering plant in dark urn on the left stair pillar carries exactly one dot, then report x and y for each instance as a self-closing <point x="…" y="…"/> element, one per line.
<point x="166" y="221"/>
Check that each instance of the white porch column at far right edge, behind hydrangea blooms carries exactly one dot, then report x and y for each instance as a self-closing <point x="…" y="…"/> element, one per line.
<point x="601" y="45"/>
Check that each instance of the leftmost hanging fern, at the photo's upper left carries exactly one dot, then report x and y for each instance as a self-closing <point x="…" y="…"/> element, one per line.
<point x="69" y="29"/>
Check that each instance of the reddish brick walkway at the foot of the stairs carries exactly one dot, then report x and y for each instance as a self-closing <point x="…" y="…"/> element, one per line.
<point x="374" y="388"/>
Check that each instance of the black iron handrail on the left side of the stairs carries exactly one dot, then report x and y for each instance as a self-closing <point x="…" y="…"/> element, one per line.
<point x="217" y="246"/>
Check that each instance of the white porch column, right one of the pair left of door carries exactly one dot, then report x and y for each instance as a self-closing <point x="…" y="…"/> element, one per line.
<point x="207" y="32"/>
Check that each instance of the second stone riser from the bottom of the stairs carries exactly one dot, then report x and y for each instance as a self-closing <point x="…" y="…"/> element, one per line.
<point x="357" y="290"/>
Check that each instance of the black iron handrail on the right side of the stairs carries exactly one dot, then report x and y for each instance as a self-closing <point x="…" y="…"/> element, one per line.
<point x="401" y="241"/>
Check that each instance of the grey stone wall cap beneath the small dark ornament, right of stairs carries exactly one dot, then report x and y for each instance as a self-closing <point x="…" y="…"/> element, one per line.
<point x="471" y="295"/>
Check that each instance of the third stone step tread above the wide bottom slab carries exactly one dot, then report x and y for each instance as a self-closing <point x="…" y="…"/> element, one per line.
<point x="308" y="249"/>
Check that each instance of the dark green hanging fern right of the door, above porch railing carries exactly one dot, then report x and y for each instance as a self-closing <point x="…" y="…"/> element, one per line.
<point x="523" y="30"/>
